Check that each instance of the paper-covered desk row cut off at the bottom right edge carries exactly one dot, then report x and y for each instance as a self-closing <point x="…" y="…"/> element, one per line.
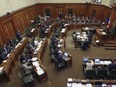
<point x="72" y="82"/>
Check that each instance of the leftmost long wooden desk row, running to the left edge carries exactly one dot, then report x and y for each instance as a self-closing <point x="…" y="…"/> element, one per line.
<point x="7" y="65"/>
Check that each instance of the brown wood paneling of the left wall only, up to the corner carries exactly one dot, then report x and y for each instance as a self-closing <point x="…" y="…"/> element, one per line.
<point x="18" y="20"/>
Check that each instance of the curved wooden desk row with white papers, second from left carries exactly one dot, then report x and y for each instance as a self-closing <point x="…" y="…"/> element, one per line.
<point x="39" y="68"/>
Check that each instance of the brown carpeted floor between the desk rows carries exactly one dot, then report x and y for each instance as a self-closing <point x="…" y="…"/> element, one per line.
<point x="59" y="78"/>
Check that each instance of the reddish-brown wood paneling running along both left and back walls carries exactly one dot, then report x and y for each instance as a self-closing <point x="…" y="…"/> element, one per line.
<point x="20" y="19"/>
